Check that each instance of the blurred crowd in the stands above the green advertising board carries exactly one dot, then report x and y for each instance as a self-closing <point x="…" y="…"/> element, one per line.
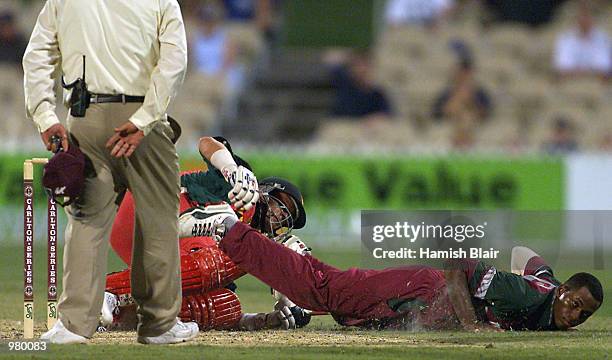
<point x="442" y="75"/>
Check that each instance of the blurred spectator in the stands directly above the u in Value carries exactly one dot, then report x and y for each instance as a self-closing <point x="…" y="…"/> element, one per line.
<point x="463" y="99"/>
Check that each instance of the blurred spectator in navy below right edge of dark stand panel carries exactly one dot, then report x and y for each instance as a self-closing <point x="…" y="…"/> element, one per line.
<point x="356" y="93"/>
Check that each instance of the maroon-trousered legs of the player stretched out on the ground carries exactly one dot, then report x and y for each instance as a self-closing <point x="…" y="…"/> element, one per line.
<point x="355" y="293"/>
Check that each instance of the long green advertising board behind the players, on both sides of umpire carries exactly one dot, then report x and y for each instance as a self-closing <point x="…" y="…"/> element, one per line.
<point x="336" y="188"/>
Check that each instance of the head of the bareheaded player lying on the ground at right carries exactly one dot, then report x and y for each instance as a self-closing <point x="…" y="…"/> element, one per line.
<point x="572" y="307"/>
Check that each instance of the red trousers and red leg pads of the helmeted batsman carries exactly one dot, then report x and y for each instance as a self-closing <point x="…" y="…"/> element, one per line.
<point x="205" y="300"/>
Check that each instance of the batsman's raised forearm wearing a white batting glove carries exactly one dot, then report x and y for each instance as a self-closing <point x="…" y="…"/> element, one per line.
<point x="244" y="193"/>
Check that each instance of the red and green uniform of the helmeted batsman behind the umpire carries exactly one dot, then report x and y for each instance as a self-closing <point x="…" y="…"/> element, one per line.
<point x="206" y="274"/>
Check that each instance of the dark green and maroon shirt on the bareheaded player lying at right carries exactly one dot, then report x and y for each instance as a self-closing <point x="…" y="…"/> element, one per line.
<point x="513" y="301"/>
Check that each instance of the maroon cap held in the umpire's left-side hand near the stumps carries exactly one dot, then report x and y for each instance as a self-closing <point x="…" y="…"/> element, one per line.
<point x="64" y="175"/>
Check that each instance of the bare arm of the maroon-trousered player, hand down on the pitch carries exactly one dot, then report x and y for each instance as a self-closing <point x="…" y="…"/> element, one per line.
<point x="457" y="274"/>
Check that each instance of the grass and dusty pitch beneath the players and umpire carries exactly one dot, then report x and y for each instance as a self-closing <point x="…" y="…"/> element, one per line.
<point x="322" y="339"/>
